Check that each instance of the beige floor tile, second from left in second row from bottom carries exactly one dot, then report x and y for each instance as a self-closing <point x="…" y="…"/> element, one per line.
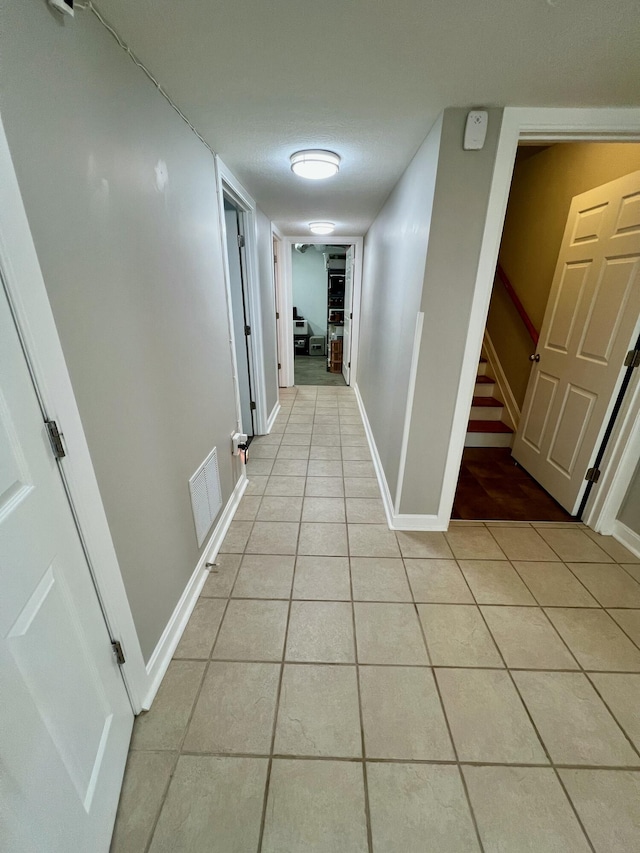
<point x="236" y="709"/>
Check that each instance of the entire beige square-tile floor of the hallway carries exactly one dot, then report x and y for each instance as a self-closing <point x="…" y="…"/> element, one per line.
<point x="343" y="688"/>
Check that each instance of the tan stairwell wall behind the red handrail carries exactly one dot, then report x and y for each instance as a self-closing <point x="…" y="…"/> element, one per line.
<point x="541" y="192"/>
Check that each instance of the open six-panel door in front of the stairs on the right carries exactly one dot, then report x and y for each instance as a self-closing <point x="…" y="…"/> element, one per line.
<point x="590" y="323"/>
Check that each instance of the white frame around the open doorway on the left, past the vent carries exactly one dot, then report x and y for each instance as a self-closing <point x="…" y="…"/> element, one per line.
<point x="229" y="186"/>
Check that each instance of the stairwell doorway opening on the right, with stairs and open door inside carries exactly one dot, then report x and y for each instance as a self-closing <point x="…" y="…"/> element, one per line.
<point x="564" y="313"/>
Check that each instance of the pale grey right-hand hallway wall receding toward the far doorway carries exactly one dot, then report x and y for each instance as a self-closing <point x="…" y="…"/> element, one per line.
<point x="395" y="251"/>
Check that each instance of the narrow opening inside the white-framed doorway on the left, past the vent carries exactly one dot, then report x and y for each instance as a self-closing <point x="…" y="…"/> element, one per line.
<point x="234" y="220"/>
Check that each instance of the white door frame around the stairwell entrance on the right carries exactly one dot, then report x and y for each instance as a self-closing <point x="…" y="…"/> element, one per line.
<point x="542" y="125"/>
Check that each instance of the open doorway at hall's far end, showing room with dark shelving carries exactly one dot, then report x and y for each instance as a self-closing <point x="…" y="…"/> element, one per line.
<point x="322" y="289"/>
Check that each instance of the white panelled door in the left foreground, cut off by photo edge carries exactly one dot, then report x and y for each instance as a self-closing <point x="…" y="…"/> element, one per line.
<point x="66" y="717"/>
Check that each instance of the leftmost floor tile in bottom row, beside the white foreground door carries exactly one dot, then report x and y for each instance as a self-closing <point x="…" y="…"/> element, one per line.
<point x="145" y="781"/>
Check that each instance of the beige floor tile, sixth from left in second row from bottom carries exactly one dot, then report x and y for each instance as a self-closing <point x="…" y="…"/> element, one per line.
<point x="572" y="720"/>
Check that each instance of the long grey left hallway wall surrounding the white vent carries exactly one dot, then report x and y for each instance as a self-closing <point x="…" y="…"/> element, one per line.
<point x="133" y="267"/>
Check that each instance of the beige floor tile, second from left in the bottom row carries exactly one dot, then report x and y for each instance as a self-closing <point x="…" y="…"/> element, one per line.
<point x="211" y="797"/>
